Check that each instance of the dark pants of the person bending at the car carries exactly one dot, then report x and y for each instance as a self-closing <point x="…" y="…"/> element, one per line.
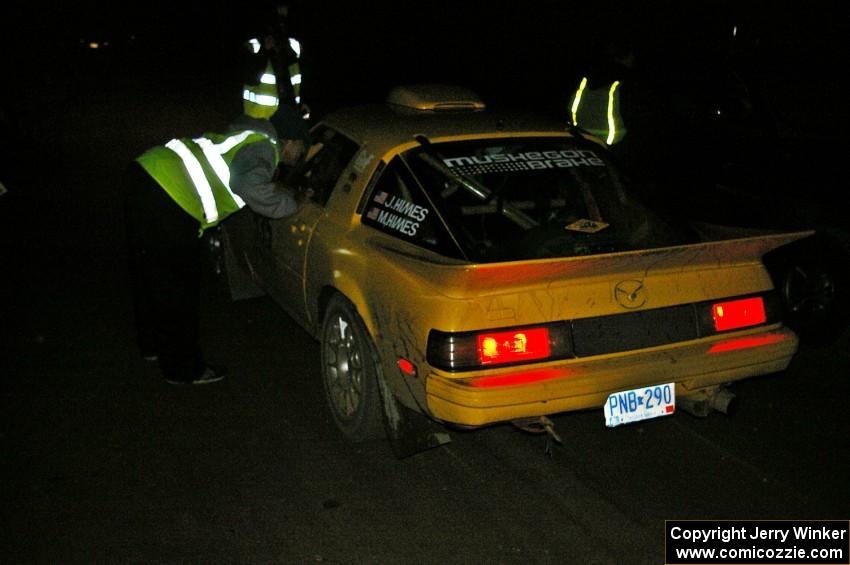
<point x="165" y="266"/>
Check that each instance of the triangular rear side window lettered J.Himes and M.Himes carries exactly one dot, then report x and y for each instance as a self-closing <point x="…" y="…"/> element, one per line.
<point x="396" y="206"/>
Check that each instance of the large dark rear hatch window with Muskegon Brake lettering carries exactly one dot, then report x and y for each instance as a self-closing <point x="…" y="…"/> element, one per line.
<point x="514" y="199"/>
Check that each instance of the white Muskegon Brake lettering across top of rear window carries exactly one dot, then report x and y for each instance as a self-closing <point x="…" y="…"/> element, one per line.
<point x="527" y="161"/>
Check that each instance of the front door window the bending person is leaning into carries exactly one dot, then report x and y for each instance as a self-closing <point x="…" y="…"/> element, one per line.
<point x="328" y="156"/>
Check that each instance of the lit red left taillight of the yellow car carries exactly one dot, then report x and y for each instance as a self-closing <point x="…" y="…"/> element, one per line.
<point x="503" y="346"/>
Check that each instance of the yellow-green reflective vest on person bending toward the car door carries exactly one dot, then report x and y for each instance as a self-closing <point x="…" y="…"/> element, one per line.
<point x="196" y="172"/>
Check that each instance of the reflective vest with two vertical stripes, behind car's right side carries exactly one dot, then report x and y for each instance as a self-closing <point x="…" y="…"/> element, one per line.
<point x="597" y="110"/>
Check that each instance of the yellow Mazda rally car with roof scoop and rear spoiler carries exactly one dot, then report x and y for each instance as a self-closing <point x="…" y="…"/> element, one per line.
<point x="479" y="268"/>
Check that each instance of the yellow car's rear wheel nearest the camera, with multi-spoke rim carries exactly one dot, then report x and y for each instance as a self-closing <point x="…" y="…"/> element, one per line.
<point x="350" y="373"/>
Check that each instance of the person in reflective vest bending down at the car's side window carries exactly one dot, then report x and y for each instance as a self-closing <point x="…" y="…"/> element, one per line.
<point x="175" y="192"/>
